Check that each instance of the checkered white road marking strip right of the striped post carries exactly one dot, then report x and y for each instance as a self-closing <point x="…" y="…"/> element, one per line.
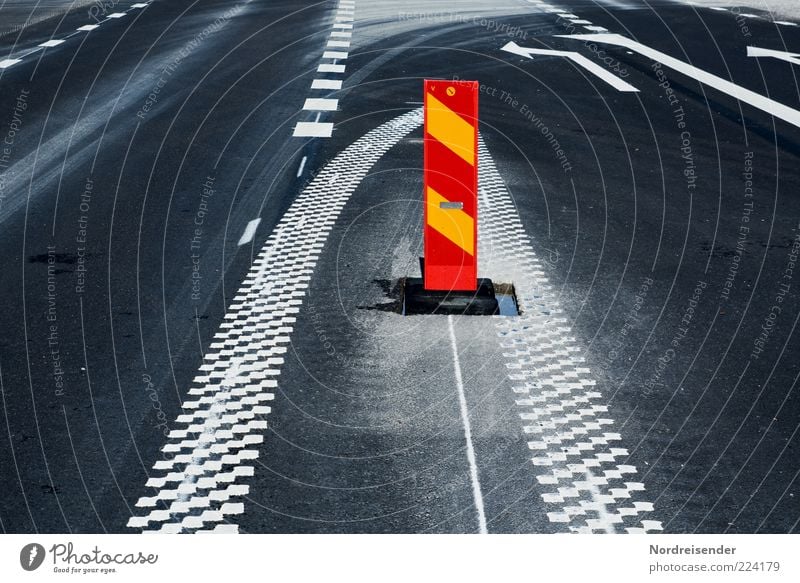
<point x="574" y="453"/>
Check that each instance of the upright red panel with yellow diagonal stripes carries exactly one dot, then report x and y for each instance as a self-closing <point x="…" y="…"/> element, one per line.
<point x="451" y="185"/>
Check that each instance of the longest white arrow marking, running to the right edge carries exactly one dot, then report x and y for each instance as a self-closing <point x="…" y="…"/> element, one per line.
<point x="757" y="100"/>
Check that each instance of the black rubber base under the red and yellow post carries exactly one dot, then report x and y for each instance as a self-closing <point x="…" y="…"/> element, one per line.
<point x="418" y="300"/>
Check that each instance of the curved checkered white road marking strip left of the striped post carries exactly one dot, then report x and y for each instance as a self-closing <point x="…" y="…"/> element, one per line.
<point x="200" y="474"/>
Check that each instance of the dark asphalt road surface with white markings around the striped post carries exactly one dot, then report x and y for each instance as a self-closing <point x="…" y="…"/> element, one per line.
<point x="207" y="208"/>
